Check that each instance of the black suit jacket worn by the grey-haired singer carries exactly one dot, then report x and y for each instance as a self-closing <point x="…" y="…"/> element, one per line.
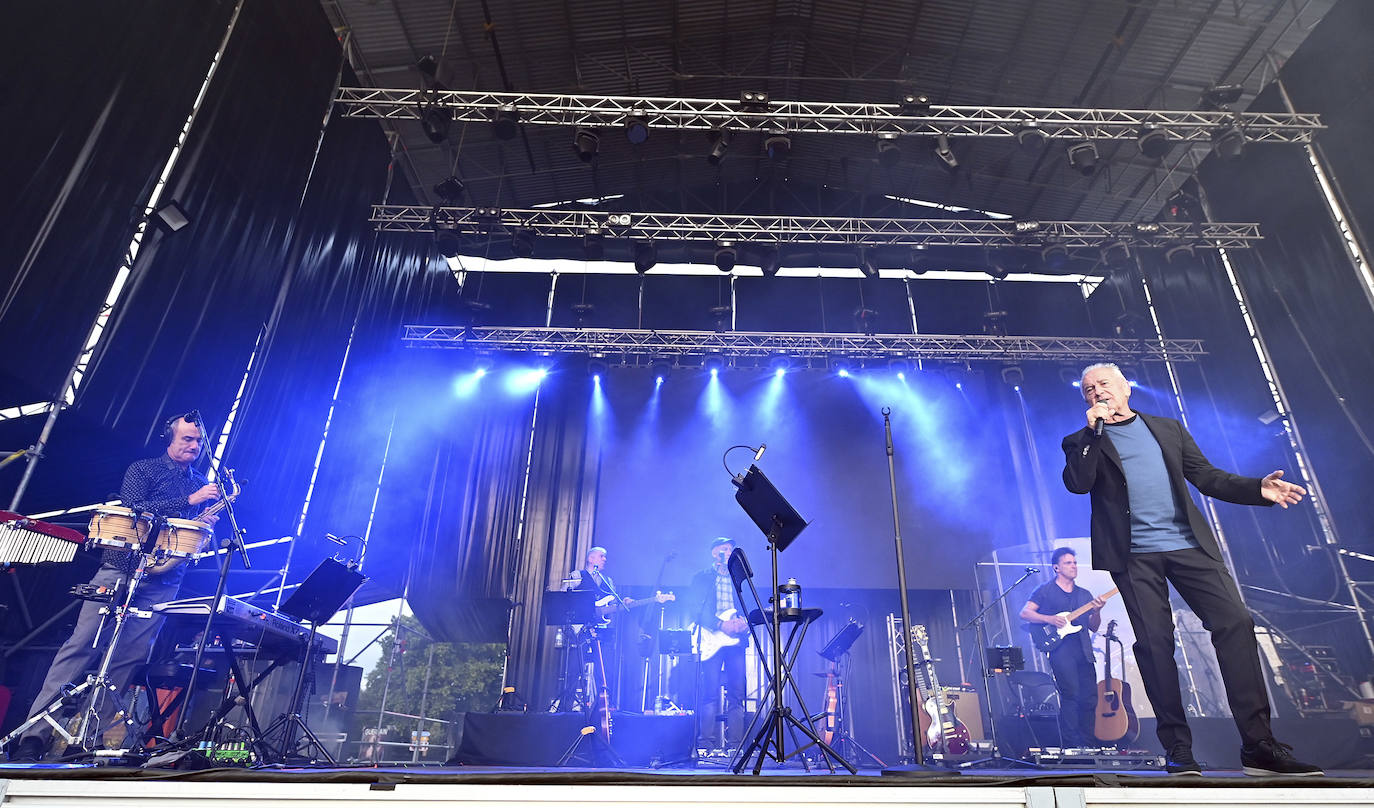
<point x="1093" y="467"/>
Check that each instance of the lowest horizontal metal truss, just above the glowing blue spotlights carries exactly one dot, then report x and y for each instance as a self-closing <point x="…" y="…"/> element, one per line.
<point x="629" y="347"/>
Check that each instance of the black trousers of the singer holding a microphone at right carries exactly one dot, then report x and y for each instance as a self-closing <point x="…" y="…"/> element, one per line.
<point x="1210" y="590"/>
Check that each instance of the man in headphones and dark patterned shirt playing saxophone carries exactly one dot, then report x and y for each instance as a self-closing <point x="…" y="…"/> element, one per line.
<point x="167" y="486"/>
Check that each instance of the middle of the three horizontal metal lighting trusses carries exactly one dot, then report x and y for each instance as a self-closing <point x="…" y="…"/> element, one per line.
<point x="810" y="229"/>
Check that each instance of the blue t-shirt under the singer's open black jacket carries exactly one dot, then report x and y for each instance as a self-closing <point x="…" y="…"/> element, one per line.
<point x="1159" y="524"/>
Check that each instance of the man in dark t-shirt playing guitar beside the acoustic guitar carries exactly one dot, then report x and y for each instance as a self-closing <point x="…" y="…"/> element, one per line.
<point x="1075" y="674"/>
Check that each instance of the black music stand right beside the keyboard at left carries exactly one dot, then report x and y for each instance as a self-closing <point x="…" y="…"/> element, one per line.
<point x="315" y="601"/>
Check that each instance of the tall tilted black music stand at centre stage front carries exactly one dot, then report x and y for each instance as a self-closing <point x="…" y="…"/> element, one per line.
<point x="781" y="524"/>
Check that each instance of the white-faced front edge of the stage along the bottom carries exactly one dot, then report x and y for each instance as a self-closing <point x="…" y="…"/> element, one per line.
<point x="54" y="785"/>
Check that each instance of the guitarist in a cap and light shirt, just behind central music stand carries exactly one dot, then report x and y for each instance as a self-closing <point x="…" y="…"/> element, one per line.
<point x="712" y="597"/>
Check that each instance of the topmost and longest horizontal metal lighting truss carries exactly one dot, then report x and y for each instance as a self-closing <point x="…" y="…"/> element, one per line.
<point x="824" y="117"/>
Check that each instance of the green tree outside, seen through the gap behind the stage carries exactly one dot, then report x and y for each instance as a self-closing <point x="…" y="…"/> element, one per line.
<point x="461" y="678"/>
